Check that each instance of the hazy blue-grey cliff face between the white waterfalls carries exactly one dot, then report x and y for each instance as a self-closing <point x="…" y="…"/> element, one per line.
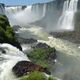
<point x="52" y="13"/>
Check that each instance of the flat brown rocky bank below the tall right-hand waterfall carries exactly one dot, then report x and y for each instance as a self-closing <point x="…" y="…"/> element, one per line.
<point x="72" y="36"/>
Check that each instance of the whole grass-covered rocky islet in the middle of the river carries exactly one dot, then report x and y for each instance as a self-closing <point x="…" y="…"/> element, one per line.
<point x="43" y="54"/>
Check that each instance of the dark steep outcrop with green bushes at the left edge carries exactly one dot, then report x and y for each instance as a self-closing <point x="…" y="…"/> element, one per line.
<point x="7" y="34"/>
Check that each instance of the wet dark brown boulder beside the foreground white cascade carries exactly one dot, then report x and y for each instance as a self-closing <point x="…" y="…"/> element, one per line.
<point x="24" y="67"/>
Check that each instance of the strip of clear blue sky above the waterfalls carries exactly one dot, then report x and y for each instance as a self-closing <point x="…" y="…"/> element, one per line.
<point x="22" y="2"/>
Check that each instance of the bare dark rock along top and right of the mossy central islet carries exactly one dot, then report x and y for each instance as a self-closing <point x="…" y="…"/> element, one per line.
<point x="51" y="51"/>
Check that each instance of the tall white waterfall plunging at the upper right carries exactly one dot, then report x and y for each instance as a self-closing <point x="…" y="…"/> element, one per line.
<point x="66" y="21"/>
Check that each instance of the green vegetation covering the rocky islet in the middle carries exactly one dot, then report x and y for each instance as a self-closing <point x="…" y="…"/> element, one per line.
<point x="40" y="56"/>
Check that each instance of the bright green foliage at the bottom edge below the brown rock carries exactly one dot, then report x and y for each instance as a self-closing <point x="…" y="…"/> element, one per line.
<point x="36" y="76"/>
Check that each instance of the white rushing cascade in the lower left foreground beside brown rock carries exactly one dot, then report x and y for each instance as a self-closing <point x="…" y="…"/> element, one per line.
<point x="8" y="60"/>
